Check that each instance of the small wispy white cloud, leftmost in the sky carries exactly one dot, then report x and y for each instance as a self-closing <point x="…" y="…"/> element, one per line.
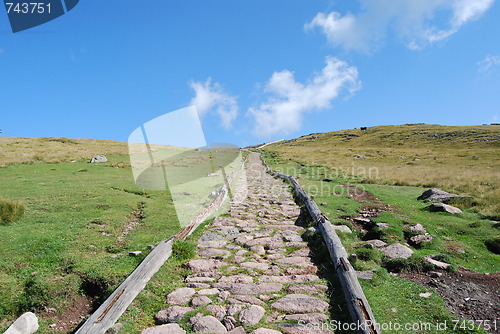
<point x="211" y="97"/>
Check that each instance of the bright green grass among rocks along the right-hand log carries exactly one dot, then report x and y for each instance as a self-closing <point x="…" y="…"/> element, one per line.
<point x="394" y="299"/>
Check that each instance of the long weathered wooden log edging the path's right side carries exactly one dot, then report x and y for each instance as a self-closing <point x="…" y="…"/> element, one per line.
<point x="359" y="308"/>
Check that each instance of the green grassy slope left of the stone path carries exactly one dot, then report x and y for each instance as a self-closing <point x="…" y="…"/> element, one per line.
<point x="74" y="213"/>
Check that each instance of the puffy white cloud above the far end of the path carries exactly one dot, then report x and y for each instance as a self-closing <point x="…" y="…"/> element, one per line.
<point x="283" y="110"/>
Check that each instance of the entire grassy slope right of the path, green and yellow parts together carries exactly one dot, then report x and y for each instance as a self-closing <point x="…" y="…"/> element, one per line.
<point x="331" y="156"/>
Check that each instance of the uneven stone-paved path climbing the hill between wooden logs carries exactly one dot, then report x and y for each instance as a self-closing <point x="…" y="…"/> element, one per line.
<point x="253" y="272"/>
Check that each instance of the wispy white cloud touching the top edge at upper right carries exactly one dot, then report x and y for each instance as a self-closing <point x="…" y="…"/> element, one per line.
<point x="416" y="23"/>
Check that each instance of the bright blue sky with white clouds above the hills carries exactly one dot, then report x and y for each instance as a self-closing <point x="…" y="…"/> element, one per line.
<point x="256" y="70"/>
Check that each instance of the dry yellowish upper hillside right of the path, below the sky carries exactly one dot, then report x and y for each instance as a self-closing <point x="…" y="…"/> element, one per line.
<point x="460" y="159"/>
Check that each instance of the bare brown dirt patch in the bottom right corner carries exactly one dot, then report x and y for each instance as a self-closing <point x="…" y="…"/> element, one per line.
<point x="469" y="295"/>
